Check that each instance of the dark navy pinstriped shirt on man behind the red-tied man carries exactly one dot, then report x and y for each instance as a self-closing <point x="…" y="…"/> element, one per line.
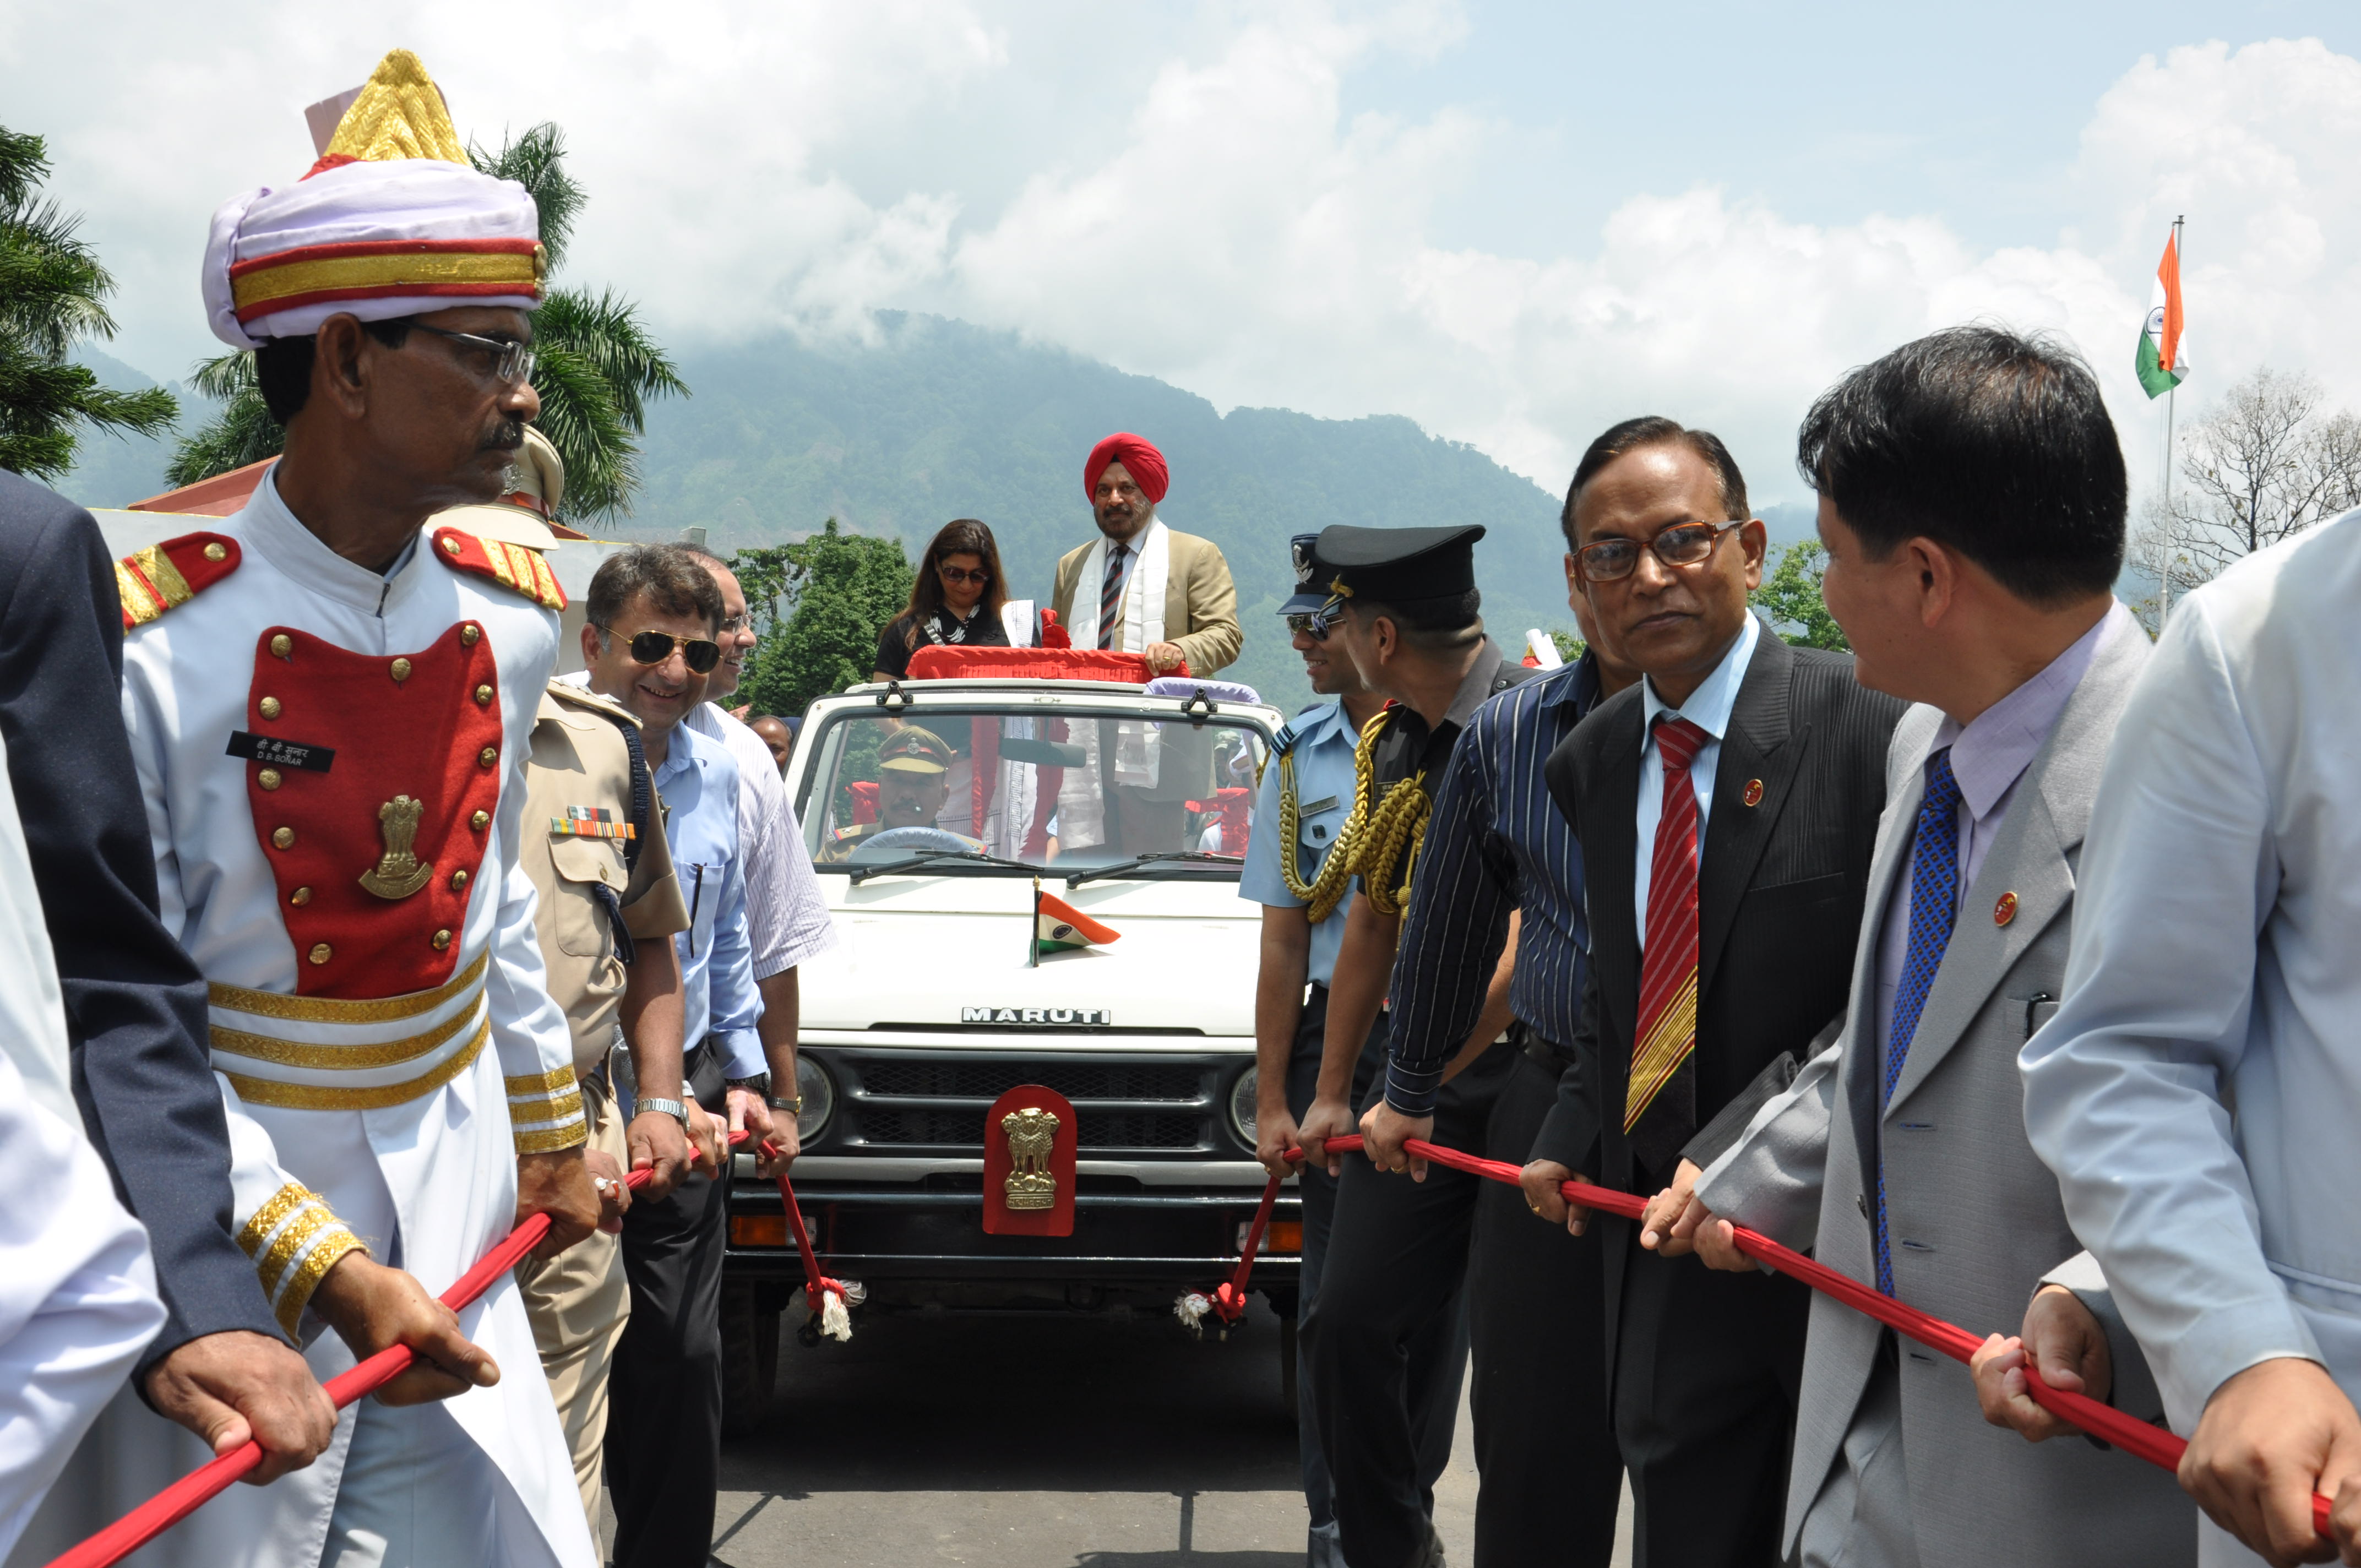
<point x="1496" y="844"/>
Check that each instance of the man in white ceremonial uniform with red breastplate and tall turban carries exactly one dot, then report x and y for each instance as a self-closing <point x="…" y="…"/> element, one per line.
<point x="329" y="710"/>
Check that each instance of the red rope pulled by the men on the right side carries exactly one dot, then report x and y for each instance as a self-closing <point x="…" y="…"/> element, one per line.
<point x="2152" y="1444"/>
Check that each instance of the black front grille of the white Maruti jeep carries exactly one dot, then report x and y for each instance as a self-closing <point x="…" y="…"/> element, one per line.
<point x="938" y="1102"/>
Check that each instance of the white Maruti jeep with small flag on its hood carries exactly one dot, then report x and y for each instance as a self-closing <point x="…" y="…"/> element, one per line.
<point x="931" y="851"/>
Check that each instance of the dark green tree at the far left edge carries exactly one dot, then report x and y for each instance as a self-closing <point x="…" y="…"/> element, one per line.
<point x="53" y="296"/>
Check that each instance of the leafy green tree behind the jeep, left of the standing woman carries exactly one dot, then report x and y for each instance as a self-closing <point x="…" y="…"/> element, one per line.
<point x="818" y="606"/>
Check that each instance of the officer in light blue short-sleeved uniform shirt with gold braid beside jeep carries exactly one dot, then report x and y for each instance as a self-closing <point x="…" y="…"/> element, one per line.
<point x="1314" y="764"/>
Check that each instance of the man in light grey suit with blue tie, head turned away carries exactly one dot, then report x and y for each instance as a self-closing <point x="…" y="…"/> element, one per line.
<point x="1973" y="507"/>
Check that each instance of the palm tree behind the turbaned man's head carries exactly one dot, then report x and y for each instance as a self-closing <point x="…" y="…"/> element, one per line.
<point x="599" y="367"/>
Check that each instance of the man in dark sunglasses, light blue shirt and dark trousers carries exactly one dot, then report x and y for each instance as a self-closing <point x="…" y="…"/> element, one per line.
<point x="653" y="641"/>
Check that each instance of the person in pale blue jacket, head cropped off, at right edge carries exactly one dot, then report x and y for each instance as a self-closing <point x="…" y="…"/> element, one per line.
<point x="2199" y="1087"/>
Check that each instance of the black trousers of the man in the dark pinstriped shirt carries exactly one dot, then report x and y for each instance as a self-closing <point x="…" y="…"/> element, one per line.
<point x="1545" y="1444"/>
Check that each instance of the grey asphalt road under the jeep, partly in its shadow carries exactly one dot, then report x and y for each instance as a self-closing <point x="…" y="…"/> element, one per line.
<point x="1033" y="1444"/>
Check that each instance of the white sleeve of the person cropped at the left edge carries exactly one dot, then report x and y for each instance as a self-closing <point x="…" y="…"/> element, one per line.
<point x="77" y="1286"/>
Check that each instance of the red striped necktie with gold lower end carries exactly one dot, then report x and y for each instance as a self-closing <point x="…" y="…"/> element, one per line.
<point x="1661" y="1102"/>
